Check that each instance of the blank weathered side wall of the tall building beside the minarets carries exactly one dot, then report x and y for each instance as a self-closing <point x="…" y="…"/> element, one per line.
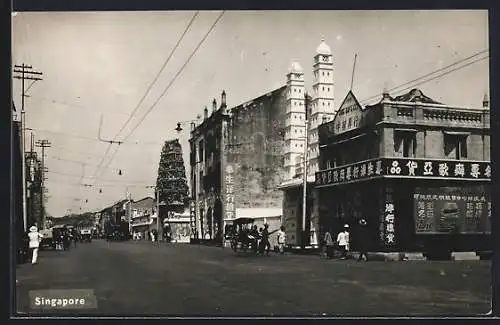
<point x="255" y="147"/>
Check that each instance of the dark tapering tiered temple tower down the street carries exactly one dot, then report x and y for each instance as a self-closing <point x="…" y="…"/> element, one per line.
<point x="171" y="181"/>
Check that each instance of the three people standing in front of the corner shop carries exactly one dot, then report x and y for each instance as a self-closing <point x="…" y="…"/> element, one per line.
<point x="342" y="242"/>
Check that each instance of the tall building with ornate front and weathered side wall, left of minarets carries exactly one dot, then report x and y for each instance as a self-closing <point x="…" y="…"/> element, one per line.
<point x="238" y="159"/>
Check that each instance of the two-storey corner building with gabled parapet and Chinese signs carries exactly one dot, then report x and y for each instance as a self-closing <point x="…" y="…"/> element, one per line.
<point x="416" y="170"/>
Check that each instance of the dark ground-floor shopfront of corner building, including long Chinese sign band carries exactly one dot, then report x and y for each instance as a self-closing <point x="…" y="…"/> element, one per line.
<point x="410" y="204"/>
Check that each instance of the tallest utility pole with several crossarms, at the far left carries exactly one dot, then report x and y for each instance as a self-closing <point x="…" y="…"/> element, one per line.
<point x="25" y="72"/>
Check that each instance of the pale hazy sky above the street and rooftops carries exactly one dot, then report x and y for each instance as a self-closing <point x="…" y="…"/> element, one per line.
<point x="98" y="65"/>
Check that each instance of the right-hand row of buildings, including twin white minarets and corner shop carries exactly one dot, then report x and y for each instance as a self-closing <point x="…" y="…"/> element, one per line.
<point x="408" y="164"/>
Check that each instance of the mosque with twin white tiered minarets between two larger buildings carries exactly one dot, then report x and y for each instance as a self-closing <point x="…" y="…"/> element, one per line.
<point x="320" y="108"/>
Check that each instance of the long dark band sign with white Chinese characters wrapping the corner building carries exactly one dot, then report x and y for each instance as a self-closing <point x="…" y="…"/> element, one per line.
<point x="405" y="168"/>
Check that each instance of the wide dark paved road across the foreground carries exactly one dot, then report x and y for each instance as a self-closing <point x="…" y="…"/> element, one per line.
<point x="139" y="278"/>
